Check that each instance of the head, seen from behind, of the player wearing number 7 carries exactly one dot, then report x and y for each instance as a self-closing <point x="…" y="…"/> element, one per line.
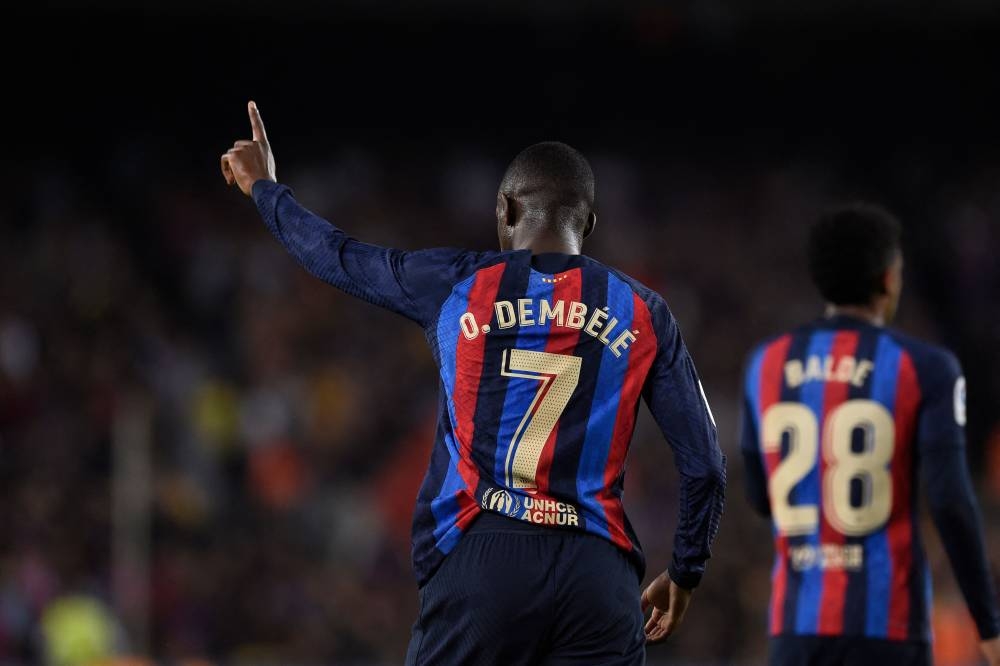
<point x="547" y="189"/>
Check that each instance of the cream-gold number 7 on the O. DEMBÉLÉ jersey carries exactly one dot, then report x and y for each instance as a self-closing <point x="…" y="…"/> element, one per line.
<point x="557" y="375"/>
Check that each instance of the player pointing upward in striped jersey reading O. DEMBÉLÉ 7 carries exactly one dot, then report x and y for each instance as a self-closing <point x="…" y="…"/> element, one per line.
<point x="521" y="548"/>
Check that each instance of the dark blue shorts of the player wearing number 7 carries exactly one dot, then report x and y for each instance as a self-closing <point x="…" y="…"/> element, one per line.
<point x="513" y="593"/>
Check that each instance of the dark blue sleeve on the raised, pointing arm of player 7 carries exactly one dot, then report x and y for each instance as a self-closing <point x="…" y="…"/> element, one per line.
<point x="413" y="284"/>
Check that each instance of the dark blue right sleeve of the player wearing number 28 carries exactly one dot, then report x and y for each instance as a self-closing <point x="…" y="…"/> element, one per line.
<point x="950" y="495"/>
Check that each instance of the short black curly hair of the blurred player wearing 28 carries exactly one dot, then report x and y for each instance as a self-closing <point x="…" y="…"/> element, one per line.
<point x="849" y="250"/>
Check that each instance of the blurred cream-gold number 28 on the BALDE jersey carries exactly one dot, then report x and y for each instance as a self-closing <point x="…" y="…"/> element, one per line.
<point x="870" y="465"/>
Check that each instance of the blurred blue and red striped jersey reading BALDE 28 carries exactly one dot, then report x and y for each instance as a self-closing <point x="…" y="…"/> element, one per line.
<point x="839" y="418"/>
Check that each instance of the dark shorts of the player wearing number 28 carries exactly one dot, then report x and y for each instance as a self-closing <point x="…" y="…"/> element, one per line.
<point x="847" y="651"/>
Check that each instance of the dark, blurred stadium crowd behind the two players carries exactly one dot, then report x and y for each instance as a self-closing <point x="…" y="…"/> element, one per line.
<point x="206" y="456"/>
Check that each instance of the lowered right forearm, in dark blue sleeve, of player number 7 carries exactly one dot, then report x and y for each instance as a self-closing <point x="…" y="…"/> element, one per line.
<point x="702" y="497"/>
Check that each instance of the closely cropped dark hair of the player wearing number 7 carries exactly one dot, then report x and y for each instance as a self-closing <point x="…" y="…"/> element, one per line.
<point x="551" y="172"/>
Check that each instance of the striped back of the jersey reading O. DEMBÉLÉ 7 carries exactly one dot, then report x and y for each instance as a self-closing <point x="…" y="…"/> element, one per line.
<point x="543" y="360"/>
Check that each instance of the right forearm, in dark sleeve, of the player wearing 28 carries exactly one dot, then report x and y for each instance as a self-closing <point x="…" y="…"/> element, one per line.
<point x="956" y="515"/>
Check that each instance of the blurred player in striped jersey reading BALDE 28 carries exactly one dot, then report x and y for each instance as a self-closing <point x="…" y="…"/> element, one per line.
<point x="840" y="417"/>
